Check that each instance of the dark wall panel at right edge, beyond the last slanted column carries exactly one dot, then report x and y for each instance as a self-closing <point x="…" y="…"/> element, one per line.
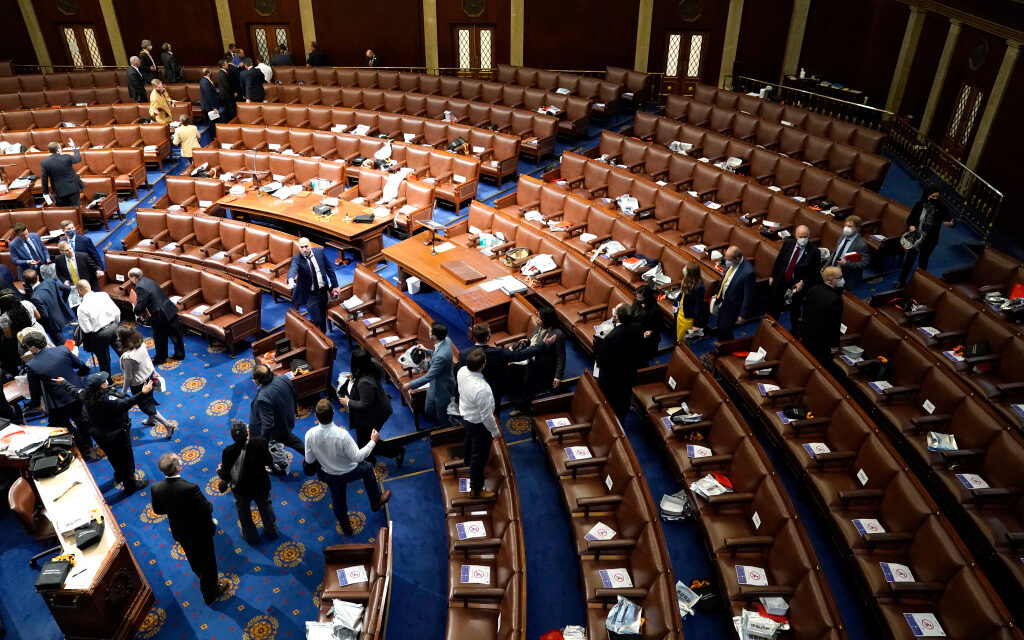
<point x="1001" y="162"/>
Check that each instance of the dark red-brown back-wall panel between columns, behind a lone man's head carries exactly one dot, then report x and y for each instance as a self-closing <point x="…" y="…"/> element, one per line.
<point x="394" y="29"/>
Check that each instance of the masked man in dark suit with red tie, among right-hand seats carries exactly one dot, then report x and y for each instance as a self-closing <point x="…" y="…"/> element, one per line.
<point x="796" y="268"/>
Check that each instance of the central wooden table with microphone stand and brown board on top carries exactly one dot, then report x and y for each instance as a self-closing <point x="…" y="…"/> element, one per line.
<point x="413" y="259"/>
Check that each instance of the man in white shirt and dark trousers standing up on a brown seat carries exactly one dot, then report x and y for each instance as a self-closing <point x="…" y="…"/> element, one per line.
<point x="477" y="406"/>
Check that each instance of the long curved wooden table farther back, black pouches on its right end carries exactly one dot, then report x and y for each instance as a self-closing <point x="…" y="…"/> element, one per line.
<point x="367" y="239"/>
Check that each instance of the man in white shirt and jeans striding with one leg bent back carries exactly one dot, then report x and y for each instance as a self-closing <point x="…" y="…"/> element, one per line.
<point x="334" y="457"/>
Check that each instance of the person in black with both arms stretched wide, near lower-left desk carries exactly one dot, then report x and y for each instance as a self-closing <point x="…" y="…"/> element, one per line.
<point x="108" y="411"/>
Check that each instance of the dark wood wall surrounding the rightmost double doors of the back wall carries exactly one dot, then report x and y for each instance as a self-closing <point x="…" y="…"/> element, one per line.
<point x="712" y="21"/>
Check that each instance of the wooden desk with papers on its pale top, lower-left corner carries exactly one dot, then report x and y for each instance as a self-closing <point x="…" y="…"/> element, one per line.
<point x="111" y="598"/>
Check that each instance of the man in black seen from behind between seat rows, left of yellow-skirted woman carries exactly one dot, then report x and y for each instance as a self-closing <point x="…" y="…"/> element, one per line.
<point x="617" y="356"/>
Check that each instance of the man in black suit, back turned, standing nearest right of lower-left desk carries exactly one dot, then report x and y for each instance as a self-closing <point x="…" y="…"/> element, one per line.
<point x="193" y="526"/>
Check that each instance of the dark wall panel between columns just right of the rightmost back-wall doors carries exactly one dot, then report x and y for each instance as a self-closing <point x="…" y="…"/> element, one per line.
<point x="762" y="39"/>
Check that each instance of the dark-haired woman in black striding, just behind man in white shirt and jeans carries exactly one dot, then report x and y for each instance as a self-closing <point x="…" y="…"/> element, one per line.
<point x="369" y="406"/>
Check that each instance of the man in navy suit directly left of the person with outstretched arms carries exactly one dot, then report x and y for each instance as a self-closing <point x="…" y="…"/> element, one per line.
<point x="62" y="408"/>
